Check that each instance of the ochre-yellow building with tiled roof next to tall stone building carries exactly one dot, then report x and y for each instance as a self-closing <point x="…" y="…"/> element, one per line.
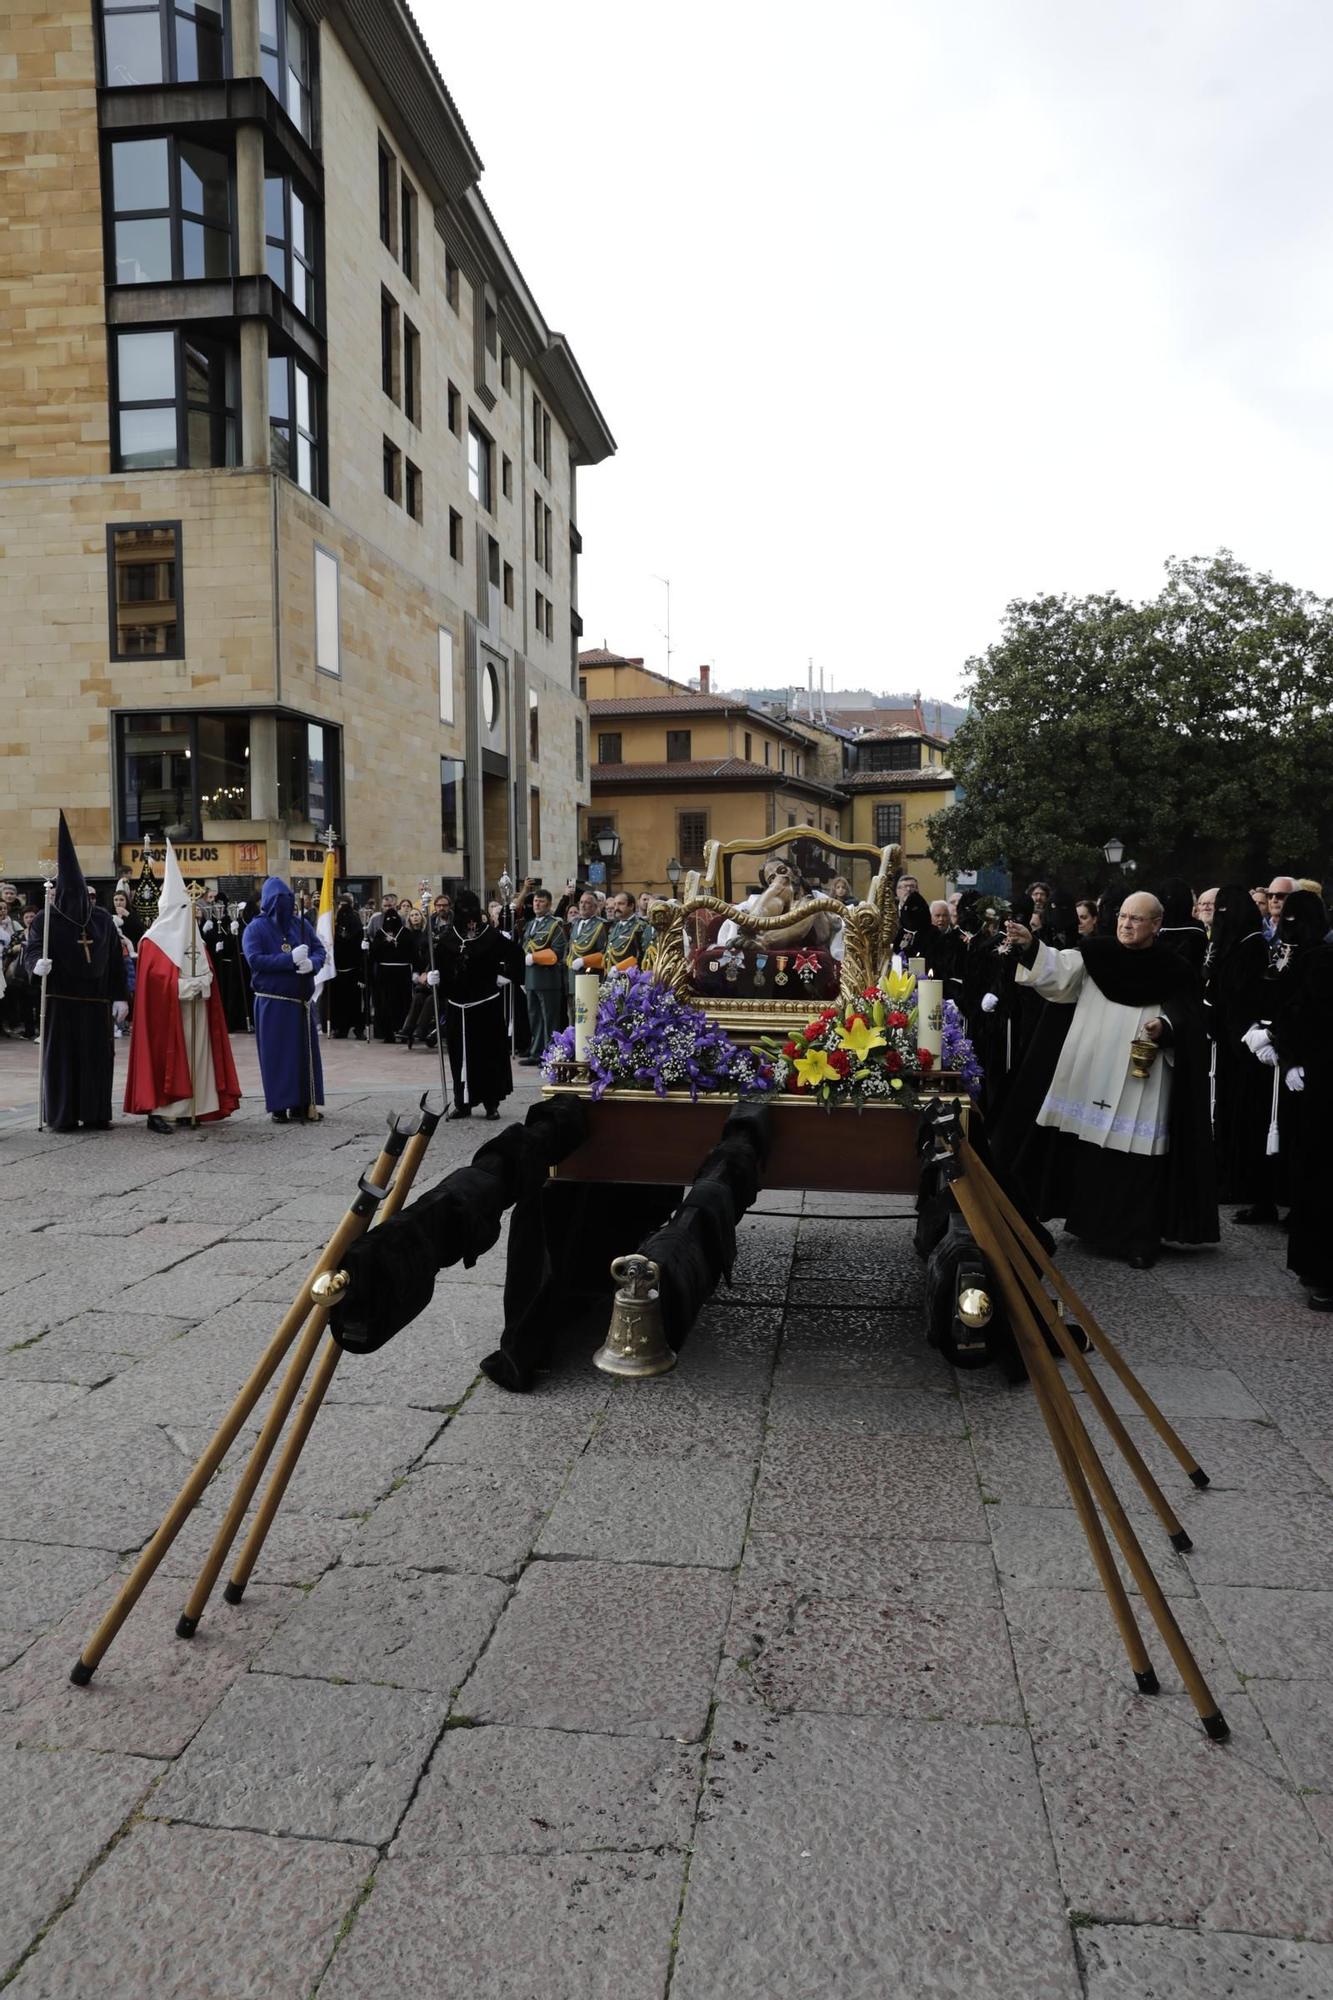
<point x="674" y="769"/>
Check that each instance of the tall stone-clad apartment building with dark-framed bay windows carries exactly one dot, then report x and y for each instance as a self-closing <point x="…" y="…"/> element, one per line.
<point x="287" y="457"/>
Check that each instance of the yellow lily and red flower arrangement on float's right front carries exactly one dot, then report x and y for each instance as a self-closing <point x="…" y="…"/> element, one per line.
<point x="868" y="1051"/>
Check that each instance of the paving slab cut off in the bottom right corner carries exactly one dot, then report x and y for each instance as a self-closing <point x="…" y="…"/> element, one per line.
<point x="1186" y="1965"/>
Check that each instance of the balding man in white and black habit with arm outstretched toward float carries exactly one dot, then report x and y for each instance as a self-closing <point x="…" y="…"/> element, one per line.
<point x="1120" y="1143"/>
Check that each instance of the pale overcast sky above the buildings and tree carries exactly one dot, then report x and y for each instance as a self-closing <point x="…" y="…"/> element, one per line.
<point x="900" y="311"/>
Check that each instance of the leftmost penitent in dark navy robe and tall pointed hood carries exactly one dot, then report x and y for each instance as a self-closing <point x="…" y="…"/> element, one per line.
<point x="87" y="977"/>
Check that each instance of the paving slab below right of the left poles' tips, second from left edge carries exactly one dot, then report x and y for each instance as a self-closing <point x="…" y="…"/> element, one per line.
<point x="303" y="1757"/>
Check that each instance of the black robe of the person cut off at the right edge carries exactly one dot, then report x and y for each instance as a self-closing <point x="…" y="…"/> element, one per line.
<point x="1304" y="1039"/>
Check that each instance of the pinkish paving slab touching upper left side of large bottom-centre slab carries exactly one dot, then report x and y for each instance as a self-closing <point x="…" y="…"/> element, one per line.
<point x="495" y="1791"/>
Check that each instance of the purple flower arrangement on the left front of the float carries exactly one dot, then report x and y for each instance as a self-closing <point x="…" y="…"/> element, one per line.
<point x="645" y="1039"/>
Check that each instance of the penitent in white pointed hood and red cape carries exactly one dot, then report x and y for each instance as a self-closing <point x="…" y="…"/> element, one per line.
<point x="181" y="1057"/>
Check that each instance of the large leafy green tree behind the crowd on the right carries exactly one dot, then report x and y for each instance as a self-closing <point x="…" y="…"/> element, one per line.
<point x="1198" y="727"/>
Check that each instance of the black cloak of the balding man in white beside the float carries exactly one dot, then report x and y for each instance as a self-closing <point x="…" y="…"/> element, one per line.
<point x="1126" y="1201"/>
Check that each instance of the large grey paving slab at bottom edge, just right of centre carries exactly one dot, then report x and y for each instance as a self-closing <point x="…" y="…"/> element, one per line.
<point x="868" y="1859"/>
